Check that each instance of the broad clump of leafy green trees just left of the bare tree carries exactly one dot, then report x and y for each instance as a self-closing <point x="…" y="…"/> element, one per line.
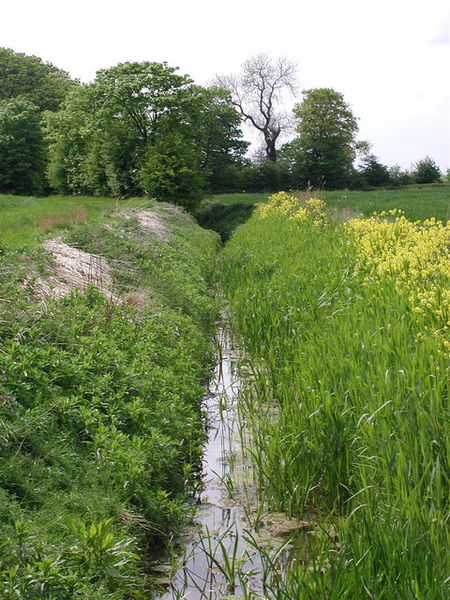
<point x="142" y="127"/>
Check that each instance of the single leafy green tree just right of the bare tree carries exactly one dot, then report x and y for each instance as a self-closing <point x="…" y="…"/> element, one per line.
<point x="324" y="151"/>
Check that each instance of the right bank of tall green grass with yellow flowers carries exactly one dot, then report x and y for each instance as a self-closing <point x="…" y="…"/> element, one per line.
<point x="346" y="332"/>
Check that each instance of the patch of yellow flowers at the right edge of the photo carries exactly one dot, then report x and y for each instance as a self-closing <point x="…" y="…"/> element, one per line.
<point x="416" y="256"/>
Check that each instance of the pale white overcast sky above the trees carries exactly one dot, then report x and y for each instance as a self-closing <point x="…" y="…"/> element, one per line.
<point x="390" y="58"/>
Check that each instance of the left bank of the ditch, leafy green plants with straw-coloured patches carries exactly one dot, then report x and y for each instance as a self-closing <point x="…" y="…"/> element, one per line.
<point x="100" y="425"/>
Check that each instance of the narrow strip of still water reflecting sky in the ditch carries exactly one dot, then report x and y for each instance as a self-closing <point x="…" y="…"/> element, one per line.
<point x="217" y="560"/>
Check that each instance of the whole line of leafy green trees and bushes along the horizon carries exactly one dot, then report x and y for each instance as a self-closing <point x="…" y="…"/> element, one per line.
<point x="143" y="128"/>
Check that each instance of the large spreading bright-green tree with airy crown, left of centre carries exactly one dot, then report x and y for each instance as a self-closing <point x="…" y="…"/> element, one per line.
<point x="101" y="138"/>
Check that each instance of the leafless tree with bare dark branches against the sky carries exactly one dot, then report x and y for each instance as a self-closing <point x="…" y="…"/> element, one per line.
<point x="257" y="92"/>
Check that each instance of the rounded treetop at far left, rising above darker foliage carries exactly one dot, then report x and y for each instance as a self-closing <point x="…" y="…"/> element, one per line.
<point x="28" y="78"/>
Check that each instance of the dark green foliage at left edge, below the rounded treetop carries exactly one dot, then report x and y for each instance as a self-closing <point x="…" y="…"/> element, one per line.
<point x="22" y="148"/>
